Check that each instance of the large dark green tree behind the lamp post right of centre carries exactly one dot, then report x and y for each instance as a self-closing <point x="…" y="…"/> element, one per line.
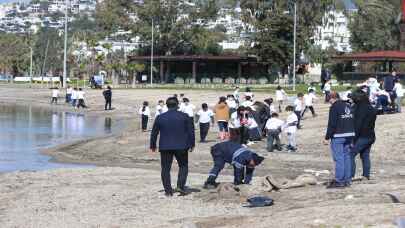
<point x="271" y="23"/>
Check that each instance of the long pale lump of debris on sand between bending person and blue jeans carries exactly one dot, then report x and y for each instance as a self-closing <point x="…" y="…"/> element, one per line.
<point x="300" y="181"/>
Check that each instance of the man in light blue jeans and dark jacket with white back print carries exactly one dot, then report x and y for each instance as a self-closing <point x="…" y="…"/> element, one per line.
<point x="340" y="132"/>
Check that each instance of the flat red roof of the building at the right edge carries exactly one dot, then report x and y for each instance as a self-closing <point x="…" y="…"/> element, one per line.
<point x="374" y="56"/>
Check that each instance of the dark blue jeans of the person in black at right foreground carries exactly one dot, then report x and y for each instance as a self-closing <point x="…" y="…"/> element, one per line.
<point x="362" y="147"/>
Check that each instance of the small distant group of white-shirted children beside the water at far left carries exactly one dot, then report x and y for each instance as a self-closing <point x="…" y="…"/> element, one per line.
<point x="74" y="96"/>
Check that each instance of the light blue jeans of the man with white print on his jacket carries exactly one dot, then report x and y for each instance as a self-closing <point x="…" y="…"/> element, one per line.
<point x="343" y="160"/>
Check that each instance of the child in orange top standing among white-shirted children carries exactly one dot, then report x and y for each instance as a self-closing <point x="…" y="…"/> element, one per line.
<point x="222" y="115"/>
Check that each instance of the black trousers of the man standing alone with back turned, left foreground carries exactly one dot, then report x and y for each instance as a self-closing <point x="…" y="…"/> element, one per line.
<point x="166" y="160"/>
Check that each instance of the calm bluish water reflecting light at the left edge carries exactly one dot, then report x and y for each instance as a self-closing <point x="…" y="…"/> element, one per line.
<point x="25" y="130"/>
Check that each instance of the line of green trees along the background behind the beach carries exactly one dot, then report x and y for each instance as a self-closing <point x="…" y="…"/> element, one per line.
<point x="181" y="29"/>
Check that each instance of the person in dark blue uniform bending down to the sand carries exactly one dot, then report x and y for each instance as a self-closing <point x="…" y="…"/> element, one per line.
<point x="242" y="159"/>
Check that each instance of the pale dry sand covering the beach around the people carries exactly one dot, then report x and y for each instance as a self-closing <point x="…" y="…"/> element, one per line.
<point x="124" y="191"/>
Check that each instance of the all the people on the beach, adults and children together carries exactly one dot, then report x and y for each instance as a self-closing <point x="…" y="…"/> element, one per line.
<point x="243" y="120"/>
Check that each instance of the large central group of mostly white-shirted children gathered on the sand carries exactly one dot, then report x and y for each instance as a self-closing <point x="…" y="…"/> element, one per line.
<point x="244" y="121"/>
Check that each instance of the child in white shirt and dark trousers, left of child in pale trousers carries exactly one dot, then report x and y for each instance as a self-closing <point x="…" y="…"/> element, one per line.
<point x="274" y="127"/>
